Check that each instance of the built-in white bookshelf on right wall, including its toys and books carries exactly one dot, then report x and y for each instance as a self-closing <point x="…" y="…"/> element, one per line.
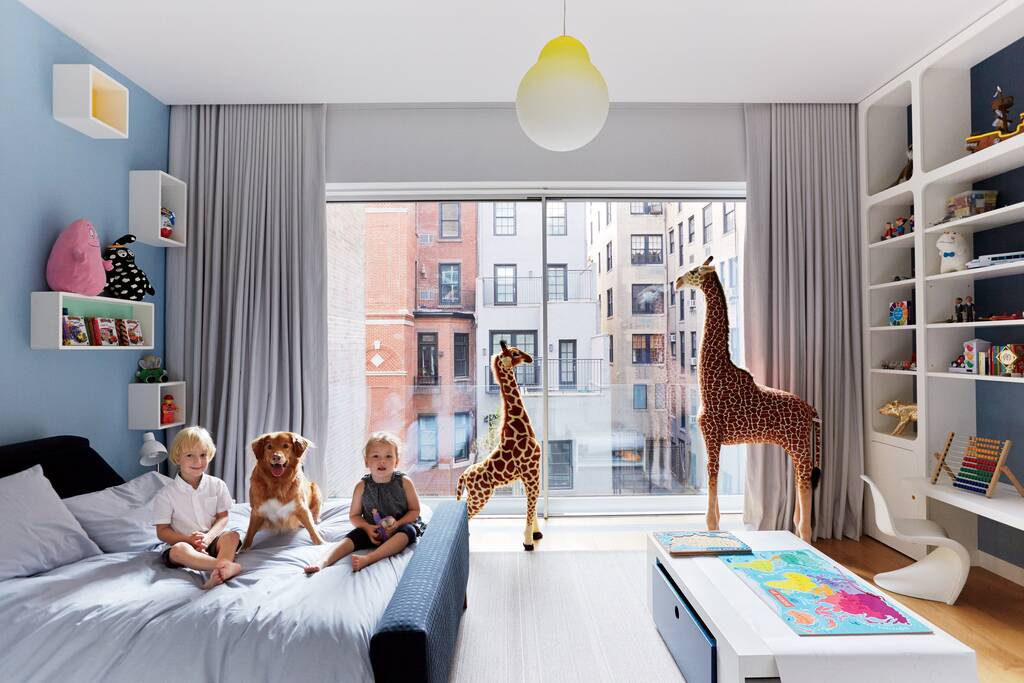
<point x="957" y="277"/>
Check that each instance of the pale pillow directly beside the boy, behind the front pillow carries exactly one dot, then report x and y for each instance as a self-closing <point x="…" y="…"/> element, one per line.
<point x="120" y="519"/>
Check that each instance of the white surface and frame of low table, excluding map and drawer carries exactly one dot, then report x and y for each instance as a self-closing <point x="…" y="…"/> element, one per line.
<point x="753" y="644"/>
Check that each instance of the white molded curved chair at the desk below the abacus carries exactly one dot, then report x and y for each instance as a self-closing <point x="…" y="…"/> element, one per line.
<point x="941" y="576"/>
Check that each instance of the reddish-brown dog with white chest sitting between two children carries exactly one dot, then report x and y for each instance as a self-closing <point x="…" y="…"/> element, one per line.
<point x="281" y="496"/>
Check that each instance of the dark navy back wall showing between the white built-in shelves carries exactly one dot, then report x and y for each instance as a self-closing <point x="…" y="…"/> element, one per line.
<point x="999" y="413"/>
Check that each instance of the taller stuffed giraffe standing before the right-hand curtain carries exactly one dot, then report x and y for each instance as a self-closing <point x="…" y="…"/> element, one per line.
<point x="737" y="410"/>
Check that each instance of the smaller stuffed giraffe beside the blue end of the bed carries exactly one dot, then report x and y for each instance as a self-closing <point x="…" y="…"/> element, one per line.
<point x="519" y="453"/>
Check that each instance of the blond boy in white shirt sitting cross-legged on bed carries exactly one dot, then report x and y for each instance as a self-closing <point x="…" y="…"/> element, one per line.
<point x="191" y="514"/>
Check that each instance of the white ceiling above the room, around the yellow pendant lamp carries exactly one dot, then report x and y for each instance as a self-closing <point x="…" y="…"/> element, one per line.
<point x="229" y="52"/>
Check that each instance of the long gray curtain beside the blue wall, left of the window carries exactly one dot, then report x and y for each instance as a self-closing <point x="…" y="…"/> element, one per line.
<point x="246" y="322"/>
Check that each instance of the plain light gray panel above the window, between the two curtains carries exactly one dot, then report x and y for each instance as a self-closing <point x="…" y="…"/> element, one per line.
<point x="482" y="143"/>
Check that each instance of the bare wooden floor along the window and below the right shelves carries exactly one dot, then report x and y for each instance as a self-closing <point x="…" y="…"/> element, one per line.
<point x="989" y="616"/>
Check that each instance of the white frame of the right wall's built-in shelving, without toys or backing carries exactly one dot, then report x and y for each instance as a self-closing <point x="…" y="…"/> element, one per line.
<point x="930" y="103"/>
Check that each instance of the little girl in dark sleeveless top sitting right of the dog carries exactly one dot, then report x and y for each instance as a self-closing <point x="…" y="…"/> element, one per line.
<point x="392" y="496"/>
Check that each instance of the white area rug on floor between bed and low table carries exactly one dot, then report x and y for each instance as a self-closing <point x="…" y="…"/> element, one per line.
<point x="560" y="617"/>
